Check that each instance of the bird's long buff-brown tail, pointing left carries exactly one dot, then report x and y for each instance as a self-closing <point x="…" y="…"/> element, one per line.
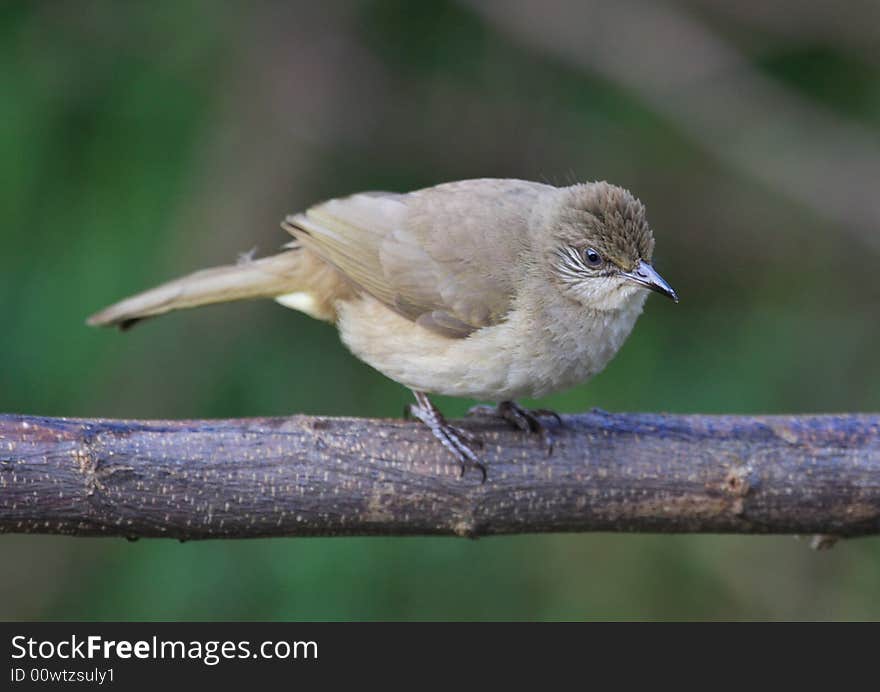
<point x="269" y="277"/>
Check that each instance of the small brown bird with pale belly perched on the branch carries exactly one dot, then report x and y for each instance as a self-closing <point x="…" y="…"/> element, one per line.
<point x="490" y="289"/>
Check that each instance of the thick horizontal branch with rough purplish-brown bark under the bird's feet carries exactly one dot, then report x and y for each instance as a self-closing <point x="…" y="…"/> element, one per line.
<point x="304" y="476"/>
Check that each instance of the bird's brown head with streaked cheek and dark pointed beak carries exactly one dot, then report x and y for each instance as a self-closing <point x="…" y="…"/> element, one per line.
<point x="600" y="247"/>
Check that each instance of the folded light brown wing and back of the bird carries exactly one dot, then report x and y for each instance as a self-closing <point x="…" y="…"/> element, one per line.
<point x="445" y="257"/>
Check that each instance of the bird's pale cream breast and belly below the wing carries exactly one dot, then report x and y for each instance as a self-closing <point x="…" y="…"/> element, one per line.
<point x="527" y="355"/>
